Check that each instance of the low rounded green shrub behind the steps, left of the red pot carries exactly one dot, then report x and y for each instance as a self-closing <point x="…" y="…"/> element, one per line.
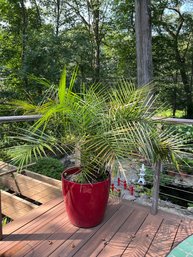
<point x="50" y="167"/>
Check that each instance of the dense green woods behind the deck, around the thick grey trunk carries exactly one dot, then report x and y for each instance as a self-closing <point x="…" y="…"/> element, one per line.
<point x="39" y="37"/>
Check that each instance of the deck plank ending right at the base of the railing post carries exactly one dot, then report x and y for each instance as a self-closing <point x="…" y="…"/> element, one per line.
<point x="142" y="240"/>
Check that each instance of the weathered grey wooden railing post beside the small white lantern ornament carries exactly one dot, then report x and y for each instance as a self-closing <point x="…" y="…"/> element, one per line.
<point x="156" y="185"/>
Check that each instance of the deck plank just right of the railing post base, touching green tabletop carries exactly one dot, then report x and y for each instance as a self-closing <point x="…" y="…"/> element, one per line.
<point x="164" y="238"/>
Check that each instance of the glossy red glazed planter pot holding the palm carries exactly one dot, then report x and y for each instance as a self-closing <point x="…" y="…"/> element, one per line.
<point x="85" y="203"/>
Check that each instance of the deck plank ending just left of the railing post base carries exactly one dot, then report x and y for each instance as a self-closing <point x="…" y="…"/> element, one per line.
<point x="119" y="242"/>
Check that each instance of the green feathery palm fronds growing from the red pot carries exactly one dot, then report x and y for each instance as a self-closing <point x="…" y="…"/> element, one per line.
<point x="103" y="124"/>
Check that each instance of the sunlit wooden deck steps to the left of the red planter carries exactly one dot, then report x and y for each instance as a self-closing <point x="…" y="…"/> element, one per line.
<point x="25" y="192"/>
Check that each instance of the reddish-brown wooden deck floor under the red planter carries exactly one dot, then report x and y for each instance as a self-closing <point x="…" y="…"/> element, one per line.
<point x="128" y="229"/>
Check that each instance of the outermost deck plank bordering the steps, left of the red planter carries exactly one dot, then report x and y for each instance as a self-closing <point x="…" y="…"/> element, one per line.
<point x="22" y="233"/>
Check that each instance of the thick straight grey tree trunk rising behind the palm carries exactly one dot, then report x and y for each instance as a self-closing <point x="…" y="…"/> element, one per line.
<point x="143" y="42"/>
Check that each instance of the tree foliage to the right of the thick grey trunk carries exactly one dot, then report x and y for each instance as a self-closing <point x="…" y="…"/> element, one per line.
<point x="172" y="53"/>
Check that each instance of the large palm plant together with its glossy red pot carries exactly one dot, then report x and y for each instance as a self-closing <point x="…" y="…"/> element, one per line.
<point x="103" y="124"/>
